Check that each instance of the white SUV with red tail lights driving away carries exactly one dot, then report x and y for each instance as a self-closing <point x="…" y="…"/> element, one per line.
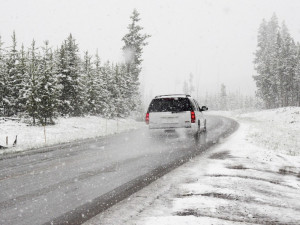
<point x="170" y="112"/>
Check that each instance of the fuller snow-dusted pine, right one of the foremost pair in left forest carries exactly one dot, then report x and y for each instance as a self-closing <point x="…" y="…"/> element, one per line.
<point x="48" y="90"/>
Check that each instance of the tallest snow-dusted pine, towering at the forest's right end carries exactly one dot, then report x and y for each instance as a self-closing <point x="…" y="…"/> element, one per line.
<point x="134" y="41"/>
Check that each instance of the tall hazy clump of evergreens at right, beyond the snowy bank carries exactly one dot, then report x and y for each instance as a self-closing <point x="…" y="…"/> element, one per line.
<point x="276" y="63"/>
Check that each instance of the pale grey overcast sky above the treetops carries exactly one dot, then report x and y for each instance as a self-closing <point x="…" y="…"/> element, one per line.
<point x="213" y="40"/>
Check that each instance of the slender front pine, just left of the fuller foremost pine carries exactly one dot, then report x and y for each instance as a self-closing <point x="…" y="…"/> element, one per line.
<point x="32" y="97"/>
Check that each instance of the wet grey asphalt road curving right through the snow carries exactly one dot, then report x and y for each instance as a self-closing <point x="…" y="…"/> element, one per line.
<point x="71" y="183"/>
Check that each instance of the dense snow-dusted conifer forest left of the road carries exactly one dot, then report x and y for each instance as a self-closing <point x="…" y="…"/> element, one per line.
<point x="42" y="82"/>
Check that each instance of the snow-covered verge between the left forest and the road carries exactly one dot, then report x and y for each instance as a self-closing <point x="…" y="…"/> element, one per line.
<point x="65" y="130"/>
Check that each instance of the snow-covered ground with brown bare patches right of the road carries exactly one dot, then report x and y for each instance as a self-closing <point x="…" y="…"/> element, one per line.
<point x="252" y="177"/>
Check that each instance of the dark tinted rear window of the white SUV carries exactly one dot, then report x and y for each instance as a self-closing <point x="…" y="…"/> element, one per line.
<point x="170" y="105"/>
